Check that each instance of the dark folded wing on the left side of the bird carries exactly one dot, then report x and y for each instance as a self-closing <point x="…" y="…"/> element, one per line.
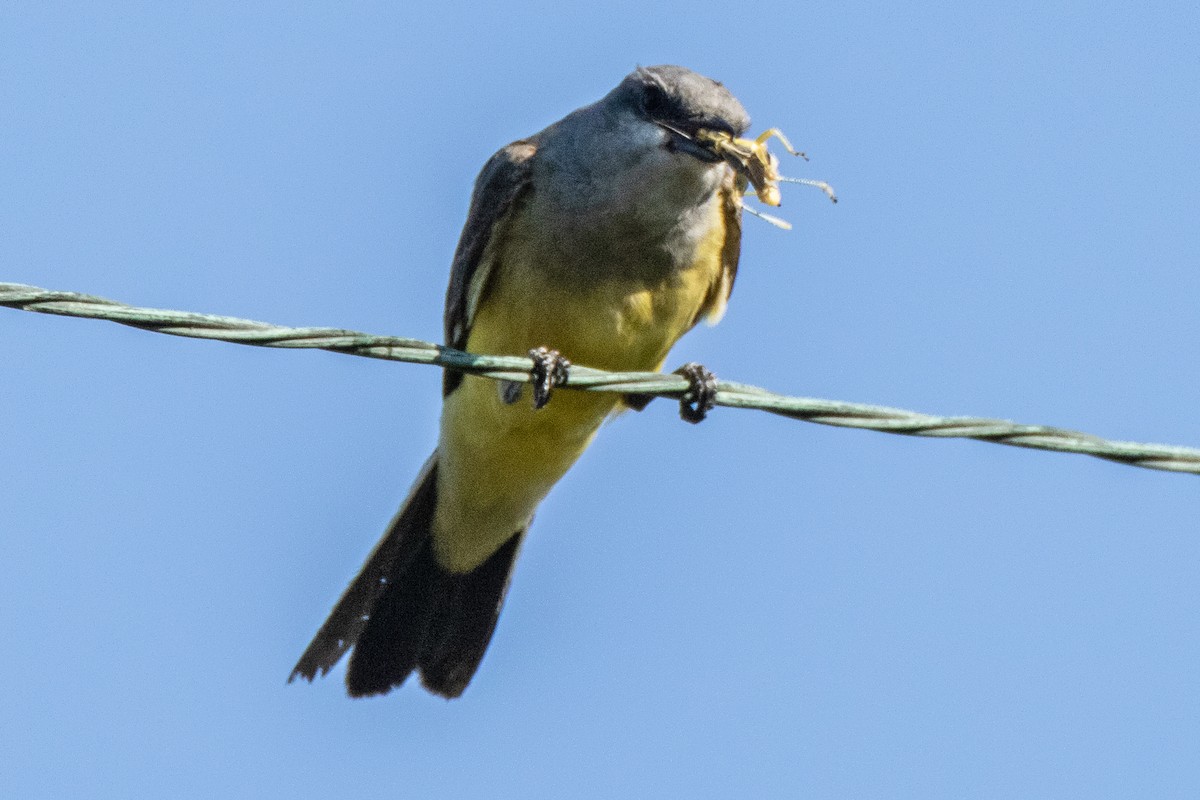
<point x="501" y="184"/>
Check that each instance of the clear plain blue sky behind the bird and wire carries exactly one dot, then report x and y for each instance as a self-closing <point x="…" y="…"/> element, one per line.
<point x="751" y="607"/>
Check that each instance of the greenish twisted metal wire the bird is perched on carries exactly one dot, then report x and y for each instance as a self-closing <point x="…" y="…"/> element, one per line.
<point x="517" y="369"/>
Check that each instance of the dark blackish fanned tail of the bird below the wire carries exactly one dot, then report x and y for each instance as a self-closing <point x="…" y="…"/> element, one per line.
<point x="405" y="612"/>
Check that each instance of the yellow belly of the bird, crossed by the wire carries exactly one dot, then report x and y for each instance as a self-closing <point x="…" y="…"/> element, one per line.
<point x="497" y="461"/>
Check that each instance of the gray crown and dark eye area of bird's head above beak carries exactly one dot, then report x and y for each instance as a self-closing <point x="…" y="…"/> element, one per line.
<point x="682" y="100"/>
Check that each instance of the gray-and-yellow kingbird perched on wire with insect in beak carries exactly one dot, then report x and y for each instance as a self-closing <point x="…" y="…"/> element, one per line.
<point x="607" y="237"/>
